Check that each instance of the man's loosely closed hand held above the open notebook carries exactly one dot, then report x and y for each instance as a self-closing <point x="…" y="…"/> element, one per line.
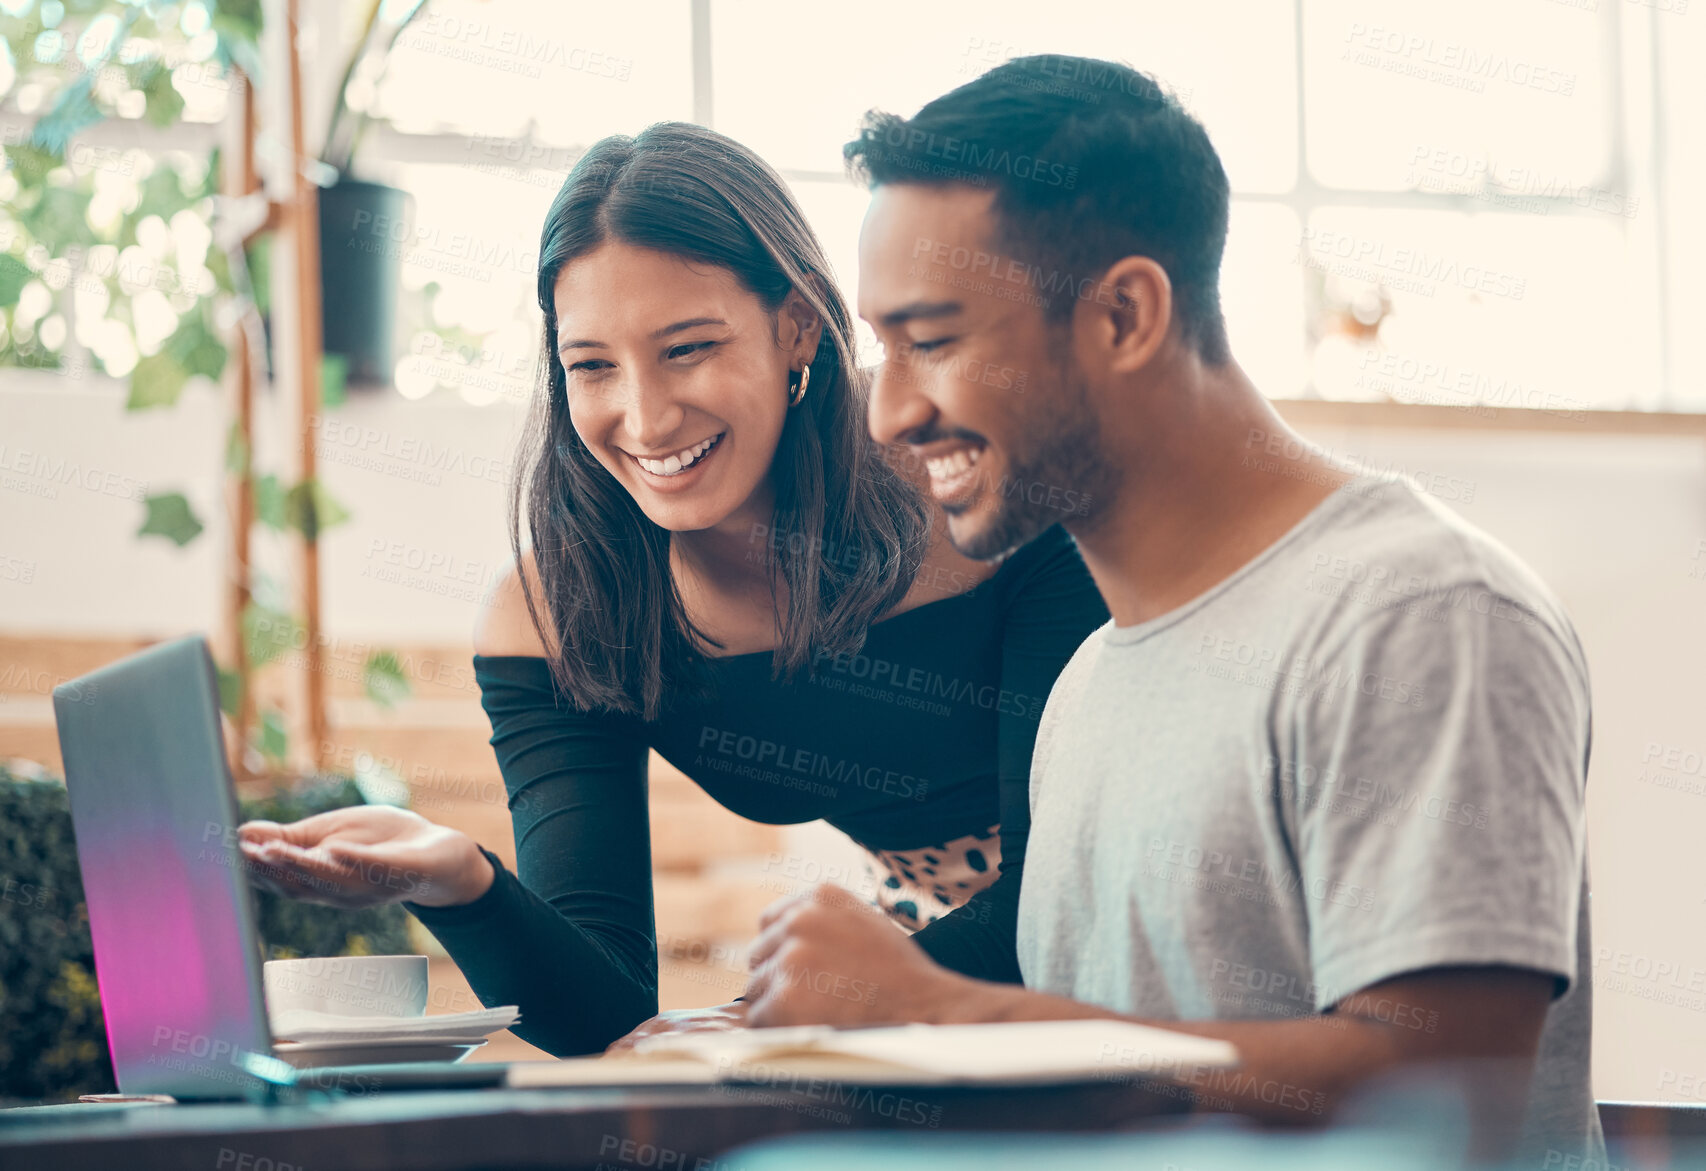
<point x="828" y="958"/>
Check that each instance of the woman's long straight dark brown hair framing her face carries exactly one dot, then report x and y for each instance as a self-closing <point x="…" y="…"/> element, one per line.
<point x="849" y="532"/>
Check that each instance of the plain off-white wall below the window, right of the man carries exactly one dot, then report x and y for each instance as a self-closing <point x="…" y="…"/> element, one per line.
<point x="1618" y="528"/>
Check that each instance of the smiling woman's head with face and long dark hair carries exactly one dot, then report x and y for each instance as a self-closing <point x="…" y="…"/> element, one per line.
<point x="685" y="298"/>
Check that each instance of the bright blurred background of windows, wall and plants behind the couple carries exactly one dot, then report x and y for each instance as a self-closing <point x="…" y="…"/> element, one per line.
<point x="1465" y="245"/>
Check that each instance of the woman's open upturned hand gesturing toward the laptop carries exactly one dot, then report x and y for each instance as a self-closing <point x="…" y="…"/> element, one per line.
<point x="366" y="856"/>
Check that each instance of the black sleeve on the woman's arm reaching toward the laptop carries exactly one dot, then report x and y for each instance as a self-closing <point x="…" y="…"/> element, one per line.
<point x="571" y="938"/>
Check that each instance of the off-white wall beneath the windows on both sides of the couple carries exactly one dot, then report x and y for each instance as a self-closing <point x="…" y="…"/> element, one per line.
<point x="1615" y="525"/>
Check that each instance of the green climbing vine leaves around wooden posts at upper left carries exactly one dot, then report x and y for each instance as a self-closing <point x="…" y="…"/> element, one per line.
<point x="115" y="250"/>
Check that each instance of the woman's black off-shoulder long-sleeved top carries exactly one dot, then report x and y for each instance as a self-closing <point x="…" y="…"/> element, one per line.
<point x="920" y="738"/>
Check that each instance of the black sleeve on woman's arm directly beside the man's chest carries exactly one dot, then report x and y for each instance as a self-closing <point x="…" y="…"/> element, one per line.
<point x="1052" y="607"/>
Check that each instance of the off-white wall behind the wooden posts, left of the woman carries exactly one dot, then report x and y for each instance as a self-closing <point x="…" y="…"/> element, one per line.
<point x="426" y="484"/>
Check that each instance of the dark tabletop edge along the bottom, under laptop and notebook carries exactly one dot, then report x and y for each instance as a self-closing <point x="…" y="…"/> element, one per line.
<point x="658" y="1129"/>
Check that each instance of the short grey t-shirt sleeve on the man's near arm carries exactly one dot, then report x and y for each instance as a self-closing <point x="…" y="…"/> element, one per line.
<point x="1436" y="786"/>
